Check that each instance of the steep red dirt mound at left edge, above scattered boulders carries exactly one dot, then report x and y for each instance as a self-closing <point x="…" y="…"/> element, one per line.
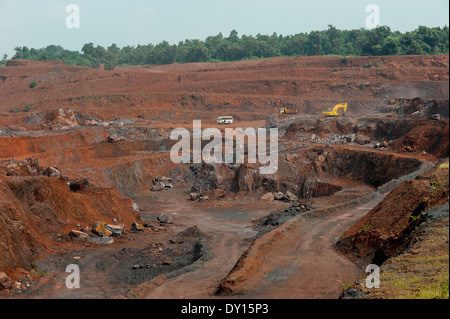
<point x="34" y="210"/>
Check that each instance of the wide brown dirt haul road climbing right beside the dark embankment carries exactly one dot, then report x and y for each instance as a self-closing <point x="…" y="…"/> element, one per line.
<point x="305" y="265"/>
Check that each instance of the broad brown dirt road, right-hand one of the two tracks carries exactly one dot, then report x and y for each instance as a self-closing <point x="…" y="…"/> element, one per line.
<point x="302" y="262"/>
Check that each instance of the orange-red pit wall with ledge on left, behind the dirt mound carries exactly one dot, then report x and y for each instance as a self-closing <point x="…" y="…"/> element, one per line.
<point x="128" y="165"/>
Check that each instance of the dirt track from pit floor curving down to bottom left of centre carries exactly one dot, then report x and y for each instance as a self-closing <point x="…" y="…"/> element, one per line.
<point x="229" y="227"/>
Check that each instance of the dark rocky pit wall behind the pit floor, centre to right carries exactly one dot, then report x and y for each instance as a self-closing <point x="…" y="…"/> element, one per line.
<point x="307" y="172"/>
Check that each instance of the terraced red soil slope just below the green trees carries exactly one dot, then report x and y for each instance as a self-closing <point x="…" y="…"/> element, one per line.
<point x="246" y="89"/>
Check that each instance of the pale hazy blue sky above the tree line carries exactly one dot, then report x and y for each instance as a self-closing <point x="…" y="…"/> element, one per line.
<point x="37" y="24"/>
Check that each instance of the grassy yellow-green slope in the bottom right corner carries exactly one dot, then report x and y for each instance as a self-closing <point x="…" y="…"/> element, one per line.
<point x="420" y="270"/>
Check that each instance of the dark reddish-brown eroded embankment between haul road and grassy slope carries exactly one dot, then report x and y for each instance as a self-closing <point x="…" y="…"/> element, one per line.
<point x="379" y="234"/>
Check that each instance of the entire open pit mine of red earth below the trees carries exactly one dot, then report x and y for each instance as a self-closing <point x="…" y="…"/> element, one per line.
<point x="93" y="206"/>
